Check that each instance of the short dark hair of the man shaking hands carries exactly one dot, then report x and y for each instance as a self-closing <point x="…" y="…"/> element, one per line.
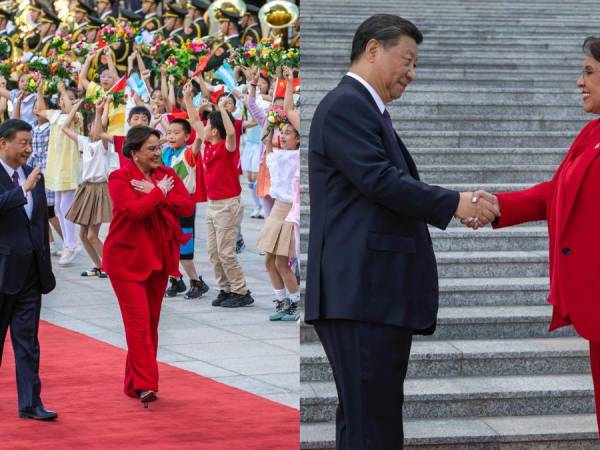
<point x="385" y="28"/>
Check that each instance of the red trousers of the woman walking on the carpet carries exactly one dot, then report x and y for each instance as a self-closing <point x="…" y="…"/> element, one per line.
<point x="140" y="303"/>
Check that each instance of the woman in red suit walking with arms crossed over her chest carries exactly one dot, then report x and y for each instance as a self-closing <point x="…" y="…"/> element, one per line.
<point x="142" y="250"/>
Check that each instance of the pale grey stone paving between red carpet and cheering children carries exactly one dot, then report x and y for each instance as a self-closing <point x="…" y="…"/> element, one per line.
<point x="238" y="347"/>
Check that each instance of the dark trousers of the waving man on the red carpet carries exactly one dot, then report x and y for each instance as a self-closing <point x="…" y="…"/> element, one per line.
<point x="21" y="312"/>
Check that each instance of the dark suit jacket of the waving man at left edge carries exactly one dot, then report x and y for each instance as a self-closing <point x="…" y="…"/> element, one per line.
<point x="20" y="237"/>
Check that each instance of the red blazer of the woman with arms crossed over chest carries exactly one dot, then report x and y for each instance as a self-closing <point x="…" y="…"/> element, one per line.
<point x="144" y="235"/>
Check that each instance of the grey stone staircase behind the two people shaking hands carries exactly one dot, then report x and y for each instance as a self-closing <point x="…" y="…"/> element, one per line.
<point x="494" y="106"/>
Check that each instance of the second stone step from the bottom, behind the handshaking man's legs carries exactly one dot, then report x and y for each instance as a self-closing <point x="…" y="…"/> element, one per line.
<point x="455" y="397"/>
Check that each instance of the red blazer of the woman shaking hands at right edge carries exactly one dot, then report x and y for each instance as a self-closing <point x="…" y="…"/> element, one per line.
<point x="574" y="241"/>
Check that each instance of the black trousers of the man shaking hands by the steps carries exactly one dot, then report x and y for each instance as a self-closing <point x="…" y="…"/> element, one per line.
<point x="369" y="363"/>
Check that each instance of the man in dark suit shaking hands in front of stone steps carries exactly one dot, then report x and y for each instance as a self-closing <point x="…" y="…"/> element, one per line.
<point x="371" y="276"/>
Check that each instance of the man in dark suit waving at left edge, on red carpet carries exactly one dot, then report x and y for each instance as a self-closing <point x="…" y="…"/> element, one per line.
<point x="25" y="268"/>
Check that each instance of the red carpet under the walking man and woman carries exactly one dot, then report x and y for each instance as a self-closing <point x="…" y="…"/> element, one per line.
<point x="82" y="380"/>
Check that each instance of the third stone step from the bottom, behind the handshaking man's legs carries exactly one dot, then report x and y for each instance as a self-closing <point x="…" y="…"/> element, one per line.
<point x="472" y="358"/>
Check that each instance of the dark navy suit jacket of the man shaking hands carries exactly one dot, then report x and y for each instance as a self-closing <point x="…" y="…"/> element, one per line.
<point x="370" y="256"/>
